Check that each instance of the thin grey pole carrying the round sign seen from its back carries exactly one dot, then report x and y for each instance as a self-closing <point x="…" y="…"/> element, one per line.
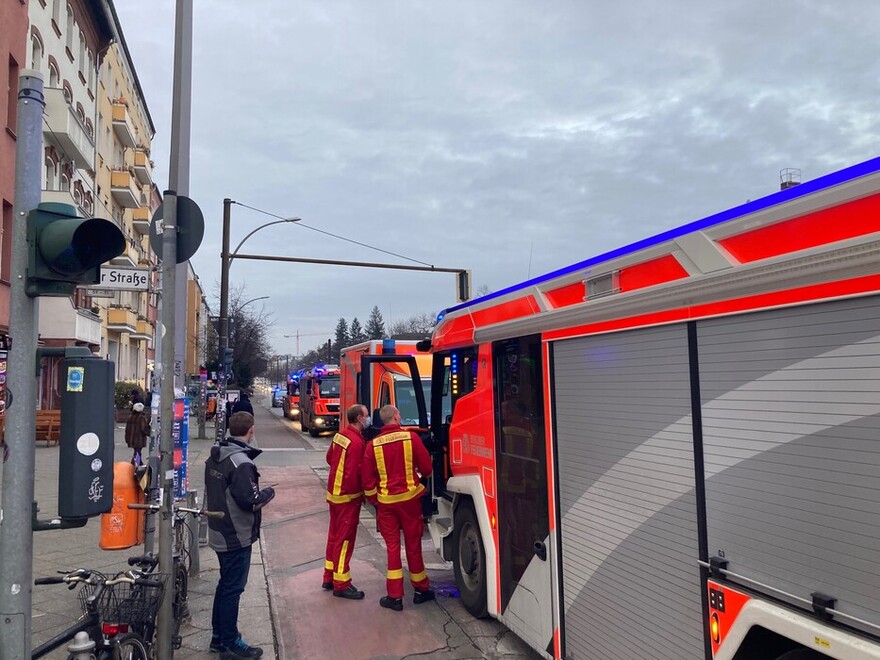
<point x="166" y="446"/>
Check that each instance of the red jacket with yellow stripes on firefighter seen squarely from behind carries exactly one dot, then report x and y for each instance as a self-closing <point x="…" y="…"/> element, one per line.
<point x="394" y="461"/>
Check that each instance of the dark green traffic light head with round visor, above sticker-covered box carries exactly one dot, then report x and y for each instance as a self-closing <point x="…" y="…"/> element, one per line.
<point x="65" y="250"/>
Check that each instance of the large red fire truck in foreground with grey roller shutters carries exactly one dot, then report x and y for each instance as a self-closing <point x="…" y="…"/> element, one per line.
<point x="672" y="449"/>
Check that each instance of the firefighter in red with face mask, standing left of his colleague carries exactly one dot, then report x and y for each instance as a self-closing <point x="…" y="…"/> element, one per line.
<point x="344" y="496"/>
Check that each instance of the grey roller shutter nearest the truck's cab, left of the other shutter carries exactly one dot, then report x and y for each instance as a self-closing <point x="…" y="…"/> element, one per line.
<point x="631" y="586"/>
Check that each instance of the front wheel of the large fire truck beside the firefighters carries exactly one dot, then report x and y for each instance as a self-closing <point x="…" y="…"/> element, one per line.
<point x="469" y="560"/>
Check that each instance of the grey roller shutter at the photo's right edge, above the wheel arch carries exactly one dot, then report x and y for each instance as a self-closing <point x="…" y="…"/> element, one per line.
<point x="791" y="424"/>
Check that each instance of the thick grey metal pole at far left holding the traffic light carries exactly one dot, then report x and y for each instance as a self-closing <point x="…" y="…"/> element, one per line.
<point x="16" y="536"/>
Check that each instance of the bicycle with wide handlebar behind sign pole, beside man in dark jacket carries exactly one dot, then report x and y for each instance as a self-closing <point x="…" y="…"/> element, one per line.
<point x="181" y="549"/>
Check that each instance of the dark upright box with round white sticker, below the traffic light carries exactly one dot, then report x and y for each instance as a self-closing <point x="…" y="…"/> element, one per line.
<point x="85" y="471"/>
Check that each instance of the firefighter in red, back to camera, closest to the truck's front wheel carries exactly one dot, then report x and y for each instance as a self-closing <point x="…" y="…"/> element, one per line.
<point x="394" y="463"/>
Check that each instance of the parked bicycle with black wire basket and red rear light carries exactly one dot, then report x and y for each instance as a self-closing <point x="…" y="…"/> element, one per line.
<point x="116" y="613"/>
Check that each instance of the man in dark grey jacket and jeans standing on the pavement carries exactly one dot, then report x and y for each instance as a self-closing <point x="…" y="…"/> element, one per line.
<point x="232" y="485"/>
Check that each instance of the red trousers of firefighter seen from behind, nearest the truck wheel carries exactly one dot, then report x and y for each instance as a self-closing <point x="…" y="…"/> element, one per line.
<point x="405" y="517"/>
